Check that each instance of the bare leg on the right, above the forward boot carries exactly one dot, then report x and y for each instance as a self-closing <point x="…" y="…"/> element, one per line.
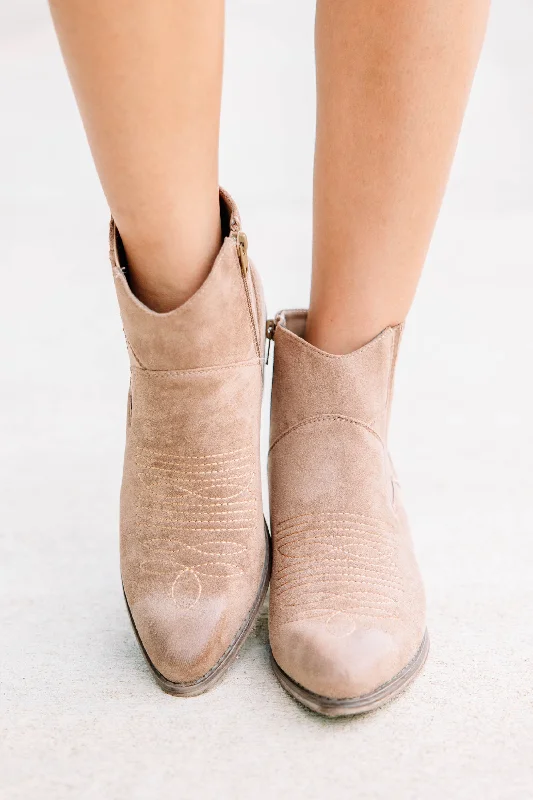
<point x="393" y="80"/>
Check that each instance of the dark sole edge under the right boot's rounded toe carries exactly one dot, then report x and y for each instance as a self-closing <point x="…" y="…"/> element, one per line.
<point x="331" y="707"/>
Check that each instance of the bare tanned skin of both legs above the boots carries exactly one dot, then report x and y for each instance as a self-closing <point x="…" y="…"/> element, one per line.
<point x="393" y="80"/>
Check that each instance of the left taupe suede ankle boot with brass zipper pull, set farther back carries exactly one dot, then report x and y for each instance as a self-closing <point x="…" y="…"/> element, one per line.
<point x="195" y="555"/>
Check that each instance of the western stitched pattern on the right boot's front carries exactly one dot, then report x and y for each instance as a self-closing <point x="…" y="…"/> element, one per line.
<point x="333" y="565"/>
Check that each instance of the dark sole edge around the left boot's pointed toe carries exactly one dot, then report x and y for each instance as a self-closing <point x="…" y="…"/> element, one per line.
<point x="216" y="673"/>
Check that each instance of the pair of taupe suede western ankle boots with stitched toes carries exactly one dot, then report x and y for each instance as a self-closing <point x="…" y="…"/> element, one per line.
<point x="347" y="609"/>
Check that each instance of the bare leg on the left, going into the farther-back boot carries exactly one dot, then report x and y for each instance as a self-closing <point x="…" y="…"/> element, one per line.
<point x="147" y="77"/>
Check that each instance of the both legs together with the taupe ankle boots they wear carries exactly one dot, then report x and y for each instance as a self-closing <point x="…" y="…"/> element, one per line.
<point x="392" y="82"/>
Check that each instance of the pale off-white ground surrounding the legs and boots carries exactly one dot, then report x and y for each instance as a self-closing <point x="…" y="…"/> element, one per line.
<point x="80" y="716"/>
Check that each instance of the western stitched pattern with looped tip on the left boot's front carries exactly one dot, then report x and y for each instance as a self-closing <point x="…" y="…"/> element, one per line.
<point x="195" y="514"/>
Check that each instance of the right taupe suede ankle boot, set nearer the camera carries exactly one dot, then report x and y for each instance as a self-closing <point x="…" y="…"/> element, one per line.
<point x="347" y="607"/>
